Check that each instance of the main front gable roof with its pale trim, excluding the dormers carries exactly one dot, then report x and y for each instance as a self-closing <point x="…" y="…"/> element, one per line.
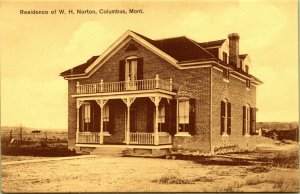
<point x="177" y="51"/>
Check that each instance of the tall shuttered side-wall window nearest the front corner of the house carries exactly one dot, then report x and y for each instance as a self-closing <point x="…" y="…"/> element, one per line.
<point x="225" y="117"/>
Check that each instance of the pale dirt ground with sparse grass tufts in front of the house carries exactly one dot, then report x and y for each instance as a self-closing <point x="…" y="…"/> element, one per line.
<point x="129" y="174"/>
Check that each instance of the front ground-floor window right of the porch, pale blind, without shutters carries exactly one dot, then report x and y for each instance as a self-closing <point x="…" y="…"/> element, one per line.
<point x="183" y="115"/>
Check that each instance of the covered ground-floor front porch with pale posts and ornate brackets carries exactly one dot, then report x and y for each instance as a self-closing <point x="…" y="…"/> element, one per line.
<point x="130" y="118"/>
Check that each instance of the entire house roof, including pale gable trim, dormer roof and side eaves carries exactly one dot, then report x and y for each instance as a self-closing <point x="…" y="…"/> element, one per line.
<point x="174" y="49"/>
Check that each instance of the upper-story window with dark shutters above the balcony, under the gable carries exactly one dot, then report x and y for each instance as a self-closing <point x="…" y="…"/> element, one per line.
<point x="131" y="68"/>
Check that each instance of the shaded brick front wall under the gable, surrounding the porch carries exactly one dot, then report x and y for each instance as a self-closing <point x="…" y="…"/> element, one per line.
<point x="195" y="81"/>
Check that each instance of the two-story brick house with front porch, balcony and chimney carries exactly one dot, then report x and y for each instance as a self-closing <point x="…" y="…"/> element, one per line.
<point x="156" y="95"/>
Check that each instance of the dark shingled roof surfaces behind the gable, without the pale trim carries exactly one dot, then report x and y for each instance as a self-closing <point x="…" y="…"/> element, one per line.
<point x="180" y="48"/>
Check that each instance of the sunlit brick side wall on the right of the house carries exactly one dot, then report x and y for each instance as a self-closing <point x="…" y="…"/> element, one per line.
<point x="235" y="92"/>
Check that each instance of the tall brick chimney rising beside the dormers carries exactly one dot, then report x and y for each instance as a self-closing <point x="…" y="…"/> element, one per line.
<point x="234" y="59"/>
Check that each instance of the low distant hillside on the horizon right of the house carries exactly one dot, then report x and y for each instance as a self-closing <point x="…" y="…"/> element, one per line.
<point x="278" y="125"/>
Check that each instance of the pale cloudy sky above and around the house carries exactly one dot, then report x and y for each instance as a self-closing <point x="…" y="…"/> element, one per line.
<point x="34" y="49"/>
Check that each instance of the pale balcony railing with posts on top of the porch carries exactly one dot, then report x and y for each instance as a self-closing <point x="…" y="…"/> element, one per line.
<point x="147" y="84"/>
